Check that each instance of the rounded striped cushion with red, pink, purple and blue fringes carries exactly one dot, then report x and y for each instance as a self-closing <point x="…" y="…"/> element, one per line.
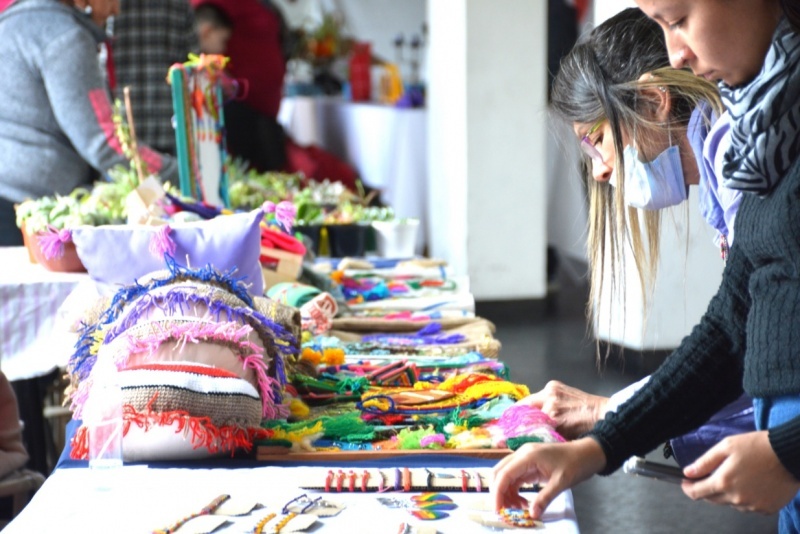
<point x="201" y="365"/>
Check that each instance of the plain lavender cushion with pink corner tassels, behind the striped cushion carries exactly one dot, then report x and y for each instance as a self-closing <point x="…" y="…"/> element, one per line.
<point x="121" y="254"/>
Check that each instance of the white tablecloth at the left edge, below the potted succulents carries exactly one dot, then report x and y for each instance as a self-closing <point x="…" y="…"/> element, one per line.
<point x="34" y="338"/>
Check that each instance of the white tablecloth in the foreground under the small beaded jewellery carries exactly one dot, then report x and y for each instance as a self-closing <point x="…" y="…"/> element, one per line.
<point x="139" y="499"/>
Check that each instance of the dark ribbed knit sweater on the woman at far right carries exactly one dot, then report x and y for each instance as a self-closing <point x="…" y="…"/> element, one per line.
<point x="750" y="335"/>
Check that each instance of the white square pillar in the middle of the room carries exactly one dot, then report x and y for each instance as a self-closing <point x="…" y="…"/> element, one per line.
<point x="487" y="143"/>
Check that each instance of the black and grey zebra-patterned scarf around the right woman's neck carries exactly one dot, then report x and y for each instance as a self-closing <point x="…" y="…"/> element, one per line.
<point x="765" y="113"/>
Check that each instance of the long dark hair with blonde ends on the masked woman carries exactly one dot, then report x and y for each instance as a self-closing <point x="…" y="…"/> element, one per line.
<point x="601" y="79"/>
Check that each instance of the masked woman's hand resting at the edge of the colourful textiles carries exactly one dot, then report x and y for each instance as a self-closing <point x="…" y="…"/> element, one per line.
<point x="573" y="410"/>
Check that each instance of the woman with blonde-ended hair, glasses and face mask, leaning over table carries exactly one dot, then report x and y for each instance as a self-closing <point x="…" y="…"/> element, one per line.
<point x="638" y="118"/>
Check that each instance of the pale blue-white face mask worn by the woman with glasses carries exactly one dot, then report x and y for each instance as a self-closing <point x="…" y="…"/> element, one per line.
<point x="656" y="184"/>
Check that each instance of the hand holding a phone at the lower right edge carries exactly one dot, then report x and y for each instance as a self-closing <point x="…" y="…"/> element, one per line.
<point x="742" y="471"/>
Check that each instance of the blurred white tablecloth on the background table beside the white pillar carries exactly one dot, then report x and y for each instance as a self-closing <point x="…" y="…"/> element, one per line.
<point x="387" y="145"/>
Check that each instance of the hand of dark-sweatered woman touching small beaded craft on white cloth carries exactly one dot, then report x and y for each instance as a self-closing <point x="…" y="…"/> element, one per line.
<point x="557" y="466"/>
